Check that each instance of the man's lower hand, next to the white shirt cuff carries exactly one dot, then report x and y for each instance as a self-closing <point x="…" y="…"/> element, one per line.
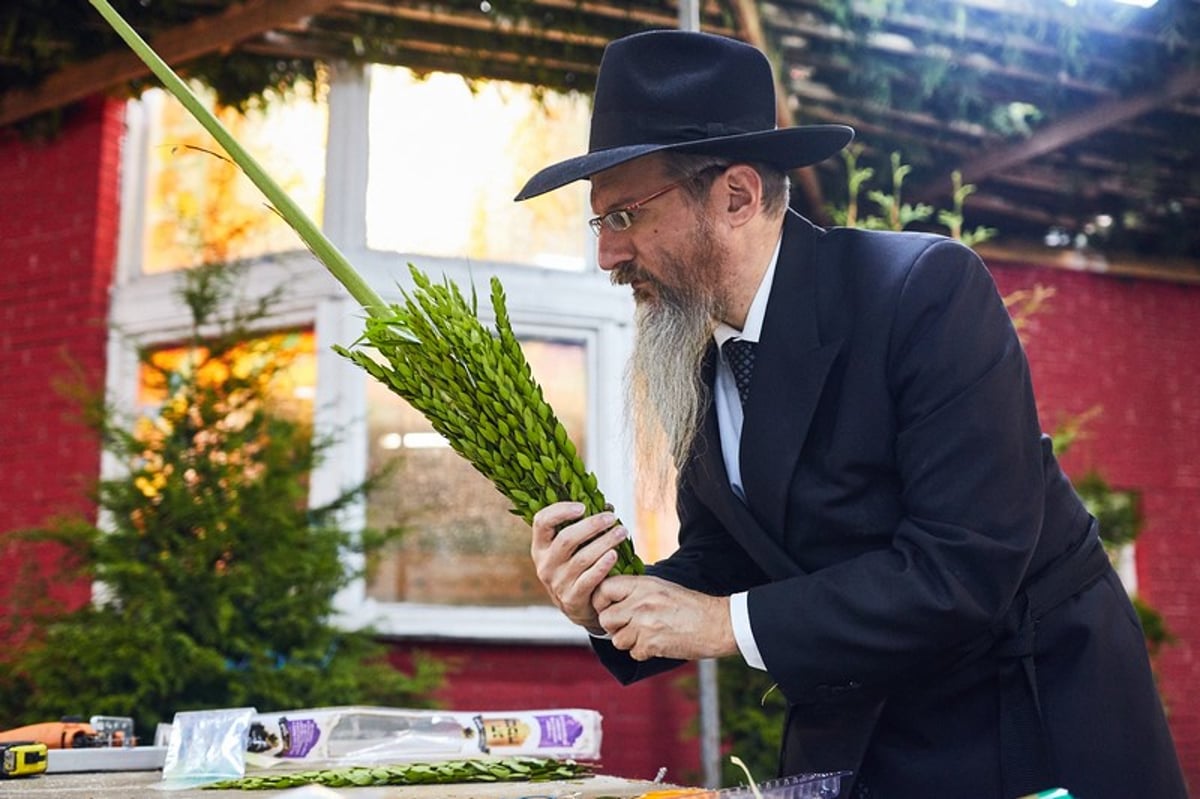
<point x="650" y="617"/>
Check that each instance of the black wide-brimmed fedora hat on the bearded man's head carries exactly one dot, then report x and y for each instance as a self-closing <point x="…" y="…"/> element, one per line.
<point x="689" y="93"/>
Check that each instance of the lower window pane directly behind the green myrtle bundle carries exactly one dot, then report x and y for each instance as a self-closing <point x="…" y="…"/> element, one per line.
<point x="463" y="545"/>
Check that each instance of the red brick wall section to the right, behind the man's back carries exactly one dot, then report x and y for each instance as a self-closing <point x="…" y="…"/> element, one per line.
<point x="1133" y="349"/>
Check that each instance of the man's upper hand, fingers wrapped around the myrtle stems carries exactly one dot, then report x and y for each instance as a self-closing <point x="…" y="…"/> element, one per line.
<point x="573" y="558"/>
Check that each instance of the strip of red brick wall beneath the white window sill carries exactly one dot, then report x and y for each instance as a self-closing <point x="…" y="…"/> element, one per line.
<point x="646" y="725"/>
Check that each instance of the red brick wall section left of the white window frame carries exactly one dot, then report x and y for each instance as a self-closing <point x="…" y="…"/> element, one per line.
<point x="58" y="243"/>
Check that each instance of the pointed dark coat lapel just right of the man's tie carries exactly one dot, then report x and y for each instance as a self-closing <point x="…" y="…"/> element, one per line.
<point x="793" y="364"/>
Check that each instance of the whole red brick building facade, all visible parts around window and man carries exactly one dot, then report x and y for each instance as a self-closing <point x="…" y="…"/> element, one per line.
<point x="1129" y="346"/>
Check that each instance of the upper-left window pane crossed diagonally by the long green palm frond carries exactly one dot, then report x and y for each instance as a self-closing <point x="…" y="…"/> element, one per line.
<point x="201" y="208"/>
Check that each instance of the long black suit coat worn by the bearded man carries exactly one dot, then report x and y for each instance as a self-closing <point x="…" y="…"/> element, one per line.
<point x="901" y="497"/>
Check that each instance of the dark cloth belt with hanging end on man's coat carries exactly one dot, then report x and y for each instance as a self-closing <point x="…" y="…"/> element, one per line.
<point x="1027" y="762"/>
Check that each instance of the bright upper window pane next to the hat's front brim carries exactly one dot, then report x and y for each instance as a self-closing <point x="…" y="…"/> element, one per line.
<point x="447" y="160"/>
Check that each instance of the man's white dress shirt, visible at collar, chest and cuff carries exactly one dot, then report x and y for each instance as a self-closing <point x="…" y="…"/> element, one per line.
<point x="729" y="420"/>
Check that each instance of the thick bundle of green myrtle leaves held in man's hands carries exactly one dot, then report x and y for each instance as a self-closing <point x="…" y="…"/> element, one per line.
<point x="477" y="389"/>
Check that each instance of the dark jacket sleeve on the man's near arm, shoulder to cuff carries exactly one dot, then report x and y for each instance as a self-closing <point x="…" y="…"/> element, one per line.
<point x="970" y="466"/>
